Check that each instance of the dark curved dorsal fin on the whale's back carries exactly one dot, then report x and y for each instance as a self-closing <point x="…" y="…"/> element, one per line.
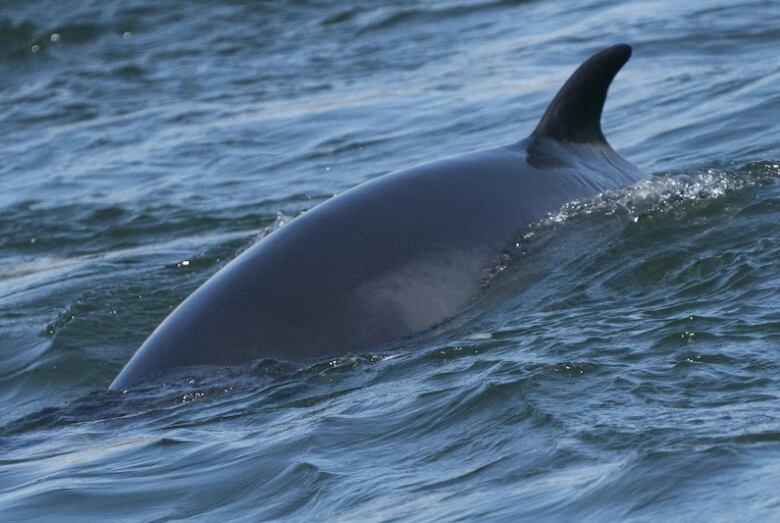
<point x="575" y="113"/>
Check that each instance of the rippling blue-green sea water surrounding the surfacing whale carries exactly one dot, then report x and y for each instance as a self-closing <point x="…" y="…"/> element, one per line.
<point x="624" y="367"/>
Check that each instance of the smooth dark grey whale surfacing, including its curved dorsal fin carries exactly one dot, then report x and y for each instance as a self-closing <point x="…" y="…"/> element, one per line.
<point x="394" y="256"/>
